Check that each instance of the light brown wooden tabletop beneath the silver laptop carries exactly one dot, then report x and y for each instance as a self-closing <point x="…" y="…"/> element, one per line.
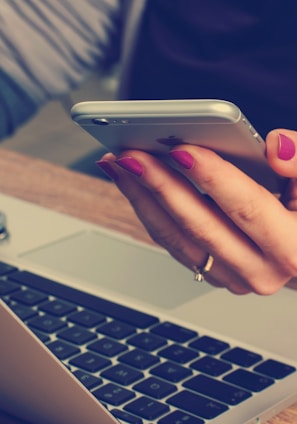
<point x="82" y="196"/>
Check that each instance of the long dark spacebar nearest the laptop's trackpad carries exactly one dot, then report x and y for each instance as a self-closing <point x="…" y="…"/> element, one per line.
<point x="98" y="304"/>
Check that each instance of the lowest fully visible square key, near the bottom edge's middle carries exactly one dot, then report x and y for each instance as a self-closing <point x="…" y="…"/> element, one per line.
<point x="146" y="408"/>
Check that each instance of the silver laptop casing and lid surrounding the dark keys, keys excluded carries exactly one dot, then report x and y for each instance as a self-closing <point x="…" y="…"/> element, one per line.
<point x="36" y="386"/>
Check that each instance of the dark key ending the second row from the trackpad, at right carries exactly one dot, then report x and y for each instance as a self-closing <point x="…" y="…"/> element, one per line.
<point x="248" y="380"/>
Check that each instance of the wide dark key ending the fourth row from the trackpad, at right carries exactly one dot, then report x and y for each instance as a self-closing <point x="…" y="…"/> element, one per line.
<point x="197" y="405"/>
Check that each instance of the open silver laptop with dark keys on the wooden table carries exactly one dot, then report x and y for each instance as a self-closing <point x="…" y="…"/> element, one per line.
<point x="96" y="327"/>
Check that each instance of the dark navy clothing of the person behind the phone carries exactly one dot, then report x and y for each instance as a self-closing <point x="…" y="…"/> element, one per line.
<point x="242" y="51"/>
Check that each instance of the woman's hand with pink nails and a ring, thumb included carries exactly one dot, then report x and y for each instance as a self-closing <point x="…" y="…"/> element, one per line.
<point x="250" y="233"/>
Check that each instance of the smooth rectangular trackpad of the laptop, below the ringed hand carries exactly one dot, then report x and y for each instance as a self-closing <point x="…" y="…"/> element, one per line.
<point x="120" y="265"/>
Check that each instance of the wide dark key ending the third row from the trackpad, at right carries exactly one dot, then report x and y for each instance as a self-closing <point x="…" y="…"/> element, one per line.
<point x="217" y="389"/>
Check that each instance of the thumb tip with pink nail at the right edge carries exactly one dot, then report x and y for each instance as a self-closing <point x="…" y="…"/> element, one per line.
<point x="281" y="152"/>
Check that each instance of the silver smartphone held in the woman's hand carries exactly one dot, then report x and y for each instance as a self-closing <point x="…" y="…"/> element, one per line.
<point x="156" y="126"/>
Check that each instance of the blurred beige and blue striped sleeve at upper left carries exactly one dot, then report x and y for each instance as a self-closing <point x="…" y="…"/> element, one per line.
<point x="48" y="47"/>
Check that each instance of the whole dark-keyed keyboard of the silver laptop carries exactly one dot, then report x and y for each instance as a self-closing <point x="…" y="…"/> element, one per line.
<point x="143" y="369"/>
